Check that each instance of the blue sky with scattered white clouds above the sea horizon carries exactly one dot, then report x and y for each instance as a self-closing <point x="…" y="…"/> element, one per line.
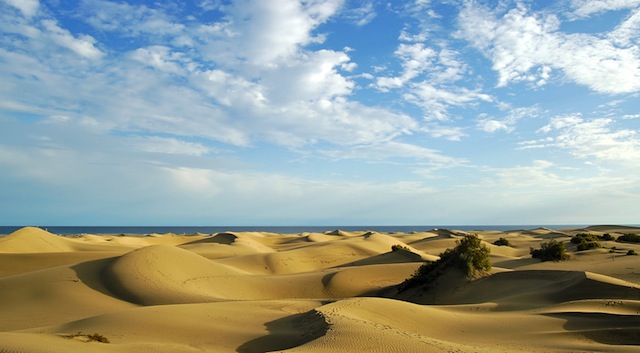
<point x="319" y="112"/>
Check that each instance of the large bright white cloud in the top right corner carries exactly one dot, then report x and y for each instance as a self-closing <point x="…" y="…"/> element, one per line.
<point x="525" y="47"/>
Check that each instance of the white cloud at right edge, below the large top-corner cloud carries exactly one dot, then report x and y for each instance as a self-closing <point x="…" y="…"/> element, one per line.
<point x="588" y="139"/>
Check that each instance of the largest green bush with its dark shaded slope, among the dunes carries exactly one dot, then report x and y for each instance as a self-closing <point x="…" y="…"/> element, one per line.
<point x="469" y="255"/>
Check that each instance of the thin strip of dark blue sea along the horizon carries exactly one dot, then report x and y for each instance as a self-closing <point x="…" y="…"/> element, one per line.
<point x="142" y="230"/>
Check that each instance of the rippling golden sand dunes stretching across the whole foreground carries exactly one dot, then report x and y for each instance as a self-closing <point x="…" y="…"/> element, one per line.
<point x="311" y="292"/>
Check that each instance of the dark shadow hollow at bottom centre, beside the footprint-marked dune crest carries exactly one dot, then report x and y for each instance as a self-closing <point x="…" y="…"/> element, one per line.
<point x="288" y="332"/>
